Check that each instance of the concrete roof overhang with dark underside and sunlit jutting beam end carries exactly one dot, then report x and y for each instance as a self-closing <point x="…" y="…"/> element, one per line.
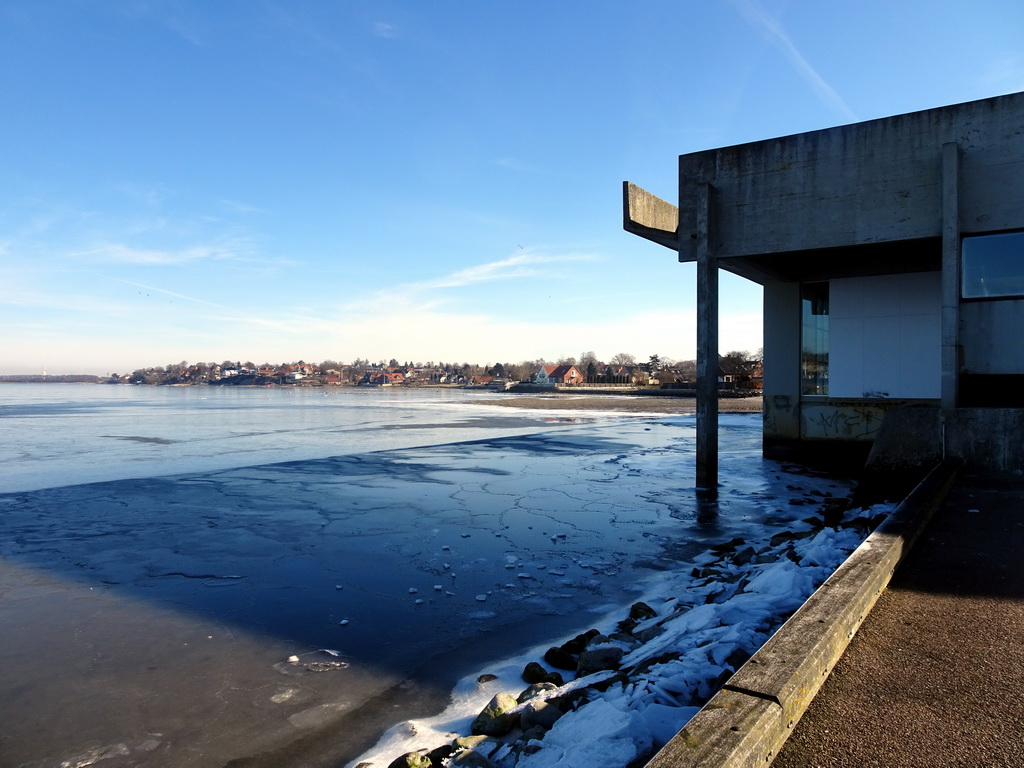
<point x="850" y="201"/>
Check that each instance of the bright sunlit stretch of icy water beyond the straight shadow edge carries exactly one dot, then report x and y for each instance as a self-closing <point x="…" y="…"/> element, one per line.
<point x="61" y="435"/>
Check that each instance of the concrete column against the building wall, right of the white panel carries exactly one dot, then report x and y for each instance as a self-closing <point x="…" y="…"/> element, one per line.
<point x="951" y="276"/>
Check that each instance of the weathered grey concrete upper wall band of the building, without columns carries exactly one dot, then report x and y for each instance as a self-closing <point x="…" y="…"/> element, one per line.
<point x="869" y="183"/>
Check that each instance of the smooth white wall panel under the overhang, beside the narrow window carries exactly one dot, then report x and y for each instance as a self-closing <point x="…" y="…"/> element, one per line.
<point x="885" y="336"/>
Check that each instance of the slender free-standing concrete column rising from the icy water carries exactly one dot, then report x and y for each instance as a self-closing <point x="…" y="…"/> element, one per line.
<point x="707" y="475"/>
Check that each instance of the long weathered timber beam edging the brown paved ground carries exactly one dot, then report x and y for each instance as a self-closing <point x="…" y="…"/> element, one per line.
<point x="750" y="719"/>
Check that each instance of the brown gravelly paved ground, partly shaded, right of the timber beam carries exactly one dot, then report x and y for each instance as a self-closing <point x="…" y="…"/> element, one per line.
<point x="935" y="675"/>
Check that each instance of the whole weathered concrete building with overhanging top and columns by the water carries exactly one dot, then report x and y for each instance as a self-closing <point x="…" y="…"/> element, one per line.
<point x="891" y="253"/>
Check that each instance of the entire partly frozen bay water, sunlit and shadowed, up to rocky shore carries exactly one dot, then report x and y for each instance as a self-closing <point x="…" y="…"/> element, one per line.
<point x="191" y="577"/>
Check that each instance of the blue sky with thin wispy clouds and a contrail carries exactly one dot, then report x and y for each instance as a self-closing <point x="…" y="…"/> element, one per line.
<point x="274" y="182"/>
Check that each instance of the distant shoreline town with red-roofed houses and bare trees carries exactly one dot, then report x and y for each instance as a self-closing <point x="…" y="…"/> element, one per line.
<point x="739" y="369"/>
